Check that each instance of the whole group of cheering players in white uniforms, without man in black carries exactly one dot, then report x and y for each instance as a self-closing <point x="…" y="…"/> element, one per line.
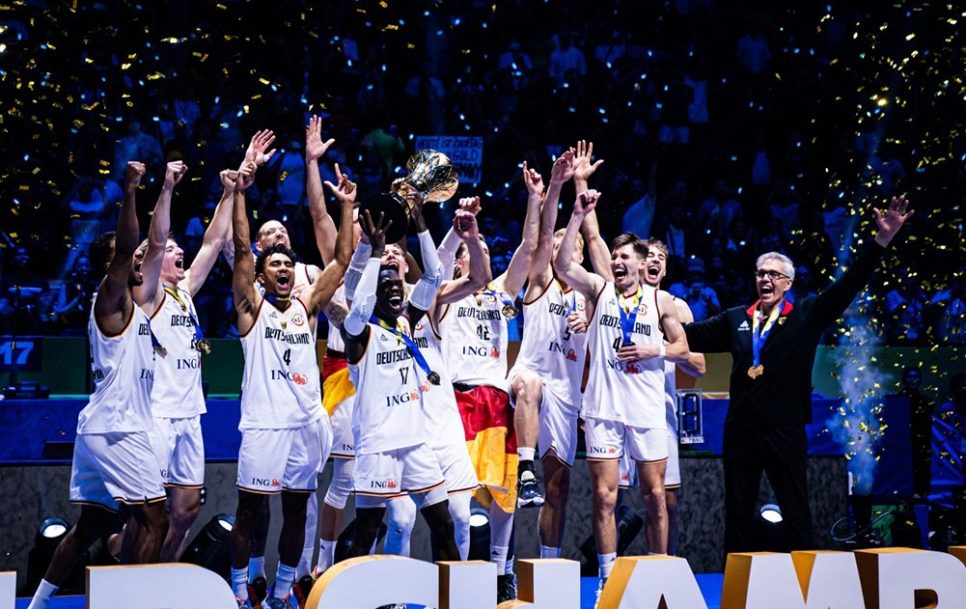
<point x="415" y="402"/>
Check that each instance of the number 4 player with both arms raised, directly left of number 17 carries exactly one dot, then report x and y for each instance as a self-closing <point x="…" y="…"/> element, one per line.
<point x="285" y="434"/>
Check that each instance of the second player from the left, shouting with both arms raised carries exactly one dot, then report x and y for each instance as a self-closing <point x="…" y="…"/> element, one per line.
<point x="177" y="401"/>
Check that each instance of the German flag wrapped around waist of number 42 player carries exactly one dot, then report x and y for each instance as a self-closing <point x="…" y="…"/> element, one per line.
<point x="491" y="442"/>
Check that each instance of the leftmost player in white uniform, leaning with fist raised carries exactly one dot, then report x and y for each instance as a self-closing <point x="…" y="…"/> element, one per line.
<point x="113" y="461"/>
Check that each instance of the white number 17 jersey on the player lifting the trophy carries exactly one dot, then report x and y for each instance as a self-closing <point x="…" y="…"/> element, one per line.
<point x="388" y="413"/>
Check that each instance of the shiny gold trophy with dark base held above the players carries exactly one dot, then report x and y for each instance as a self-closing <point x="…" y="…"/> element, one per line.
<point x="431" y="175"/>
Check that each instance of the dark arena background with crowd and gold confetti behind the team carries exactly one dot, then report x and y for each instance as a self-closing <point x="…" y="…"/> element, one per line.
<point x="727" y="129"/>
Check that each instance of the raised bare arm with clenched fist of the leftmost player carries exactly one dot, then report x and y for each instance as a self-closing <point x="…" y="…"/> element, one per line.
<point x="113" y="306"/>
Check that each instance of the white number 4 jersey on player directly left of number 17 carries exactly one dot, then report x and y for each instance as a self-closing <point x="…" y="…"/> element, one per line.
<point x="280" y="384"/>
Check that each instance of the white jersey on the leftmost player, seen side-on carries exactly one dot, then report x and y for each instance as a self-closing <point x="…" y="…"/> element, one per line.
<point x="123" y="371"/>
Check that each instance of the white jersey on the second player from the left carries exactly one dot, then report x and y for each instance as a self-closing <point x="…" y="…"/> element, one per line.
<point x="177" y="374"/>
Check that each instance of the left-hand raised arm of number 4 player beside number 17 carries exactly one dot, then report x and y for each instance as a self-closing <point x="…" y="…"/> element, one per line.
<point x="245" y="296"/>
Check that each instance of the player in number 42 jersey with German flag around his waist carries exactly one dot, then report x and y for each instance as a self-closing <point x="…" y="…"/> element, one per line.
<point x="474" y="332"/>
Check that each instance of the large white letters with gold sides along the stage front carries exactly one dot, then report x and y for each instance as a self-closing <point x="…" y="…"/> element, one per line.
<point x="886" y="578"/>
